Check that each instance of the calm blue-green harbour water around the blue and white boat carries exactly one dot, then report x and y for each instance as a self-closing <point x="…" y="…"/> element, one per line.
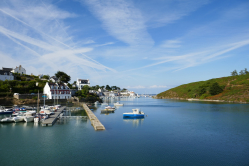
<point x="173" y="133"/>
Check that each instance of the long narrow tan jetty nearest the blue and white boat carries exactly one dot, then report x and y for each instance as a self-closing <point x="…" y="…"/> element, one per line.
<point x="97" y="125"/>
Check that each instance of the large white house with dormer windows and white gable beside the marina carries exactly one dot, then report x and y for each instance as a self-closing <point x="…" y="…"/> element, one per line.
<point x="57" y="91"/>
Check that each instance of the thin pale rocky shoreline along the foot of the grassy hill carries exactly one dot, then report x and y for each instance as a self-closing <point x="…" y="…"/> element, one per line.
<point x="205" y="100"/>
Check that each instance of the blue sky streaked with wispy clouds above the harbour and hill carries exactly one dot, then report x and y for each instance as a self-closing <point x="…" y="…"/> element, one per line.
<point x="146" y="46"/>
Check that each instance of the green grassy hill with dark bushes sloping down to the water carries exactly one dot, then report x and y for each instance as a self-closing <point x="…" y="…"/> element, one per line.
<point x="233" y="88"/>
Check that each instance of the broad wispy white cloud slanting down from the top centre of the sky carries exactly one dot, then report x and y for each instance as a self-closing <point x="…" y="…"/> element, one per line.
<point x="122" y="20"/>
